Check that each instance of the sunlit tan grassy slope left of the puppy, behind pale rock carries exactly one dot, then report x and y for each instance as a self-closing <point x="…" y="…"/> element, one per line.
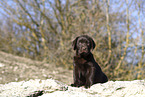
<point x="15" y="69"/>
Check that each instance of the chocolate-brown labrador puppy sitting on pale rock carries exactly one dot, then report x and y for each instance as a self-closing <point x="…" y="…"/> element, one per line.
<point x="86" y="70"/>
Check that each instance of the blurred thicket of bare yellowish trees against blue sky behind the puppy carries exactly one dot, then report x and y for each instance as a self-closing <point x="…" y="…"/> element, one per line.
<point x="44" y="30"/>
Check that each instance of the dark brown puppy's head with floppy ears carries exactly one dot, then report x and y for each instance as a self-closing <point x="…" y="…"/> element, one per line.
<point x="83" y="44"/>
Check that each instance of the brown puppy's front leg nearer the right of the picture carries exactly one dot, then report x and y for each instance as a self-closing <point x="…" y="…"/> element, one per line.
<point x="90" y="77"/>
